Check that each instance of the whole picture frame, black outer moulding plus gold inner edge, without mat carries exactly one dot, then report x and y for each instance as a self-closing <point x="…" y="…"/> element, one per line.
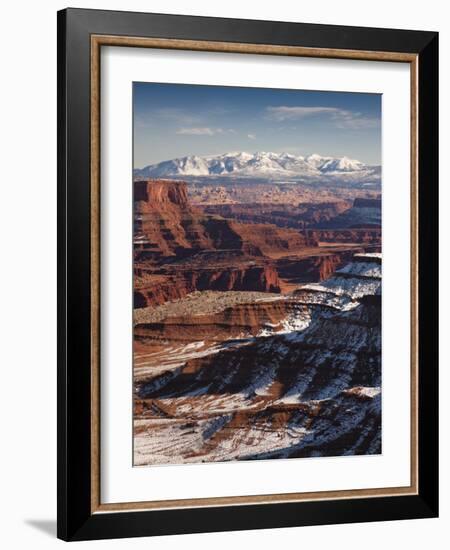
<point x="81" y="35"/>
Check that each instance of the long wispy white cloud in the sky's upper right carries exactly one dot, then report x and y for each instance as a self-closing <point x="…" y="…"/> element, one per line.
<point x="340" y="117"/>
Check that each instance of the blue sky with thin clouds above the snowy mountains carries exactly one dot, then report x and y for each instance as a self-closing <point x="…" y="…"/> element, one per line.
<point x="175" y="120"/>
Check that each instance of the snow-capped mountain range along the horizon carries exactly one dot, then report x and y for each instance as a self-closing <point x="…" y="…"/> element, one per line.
<point x="265" y="165"/>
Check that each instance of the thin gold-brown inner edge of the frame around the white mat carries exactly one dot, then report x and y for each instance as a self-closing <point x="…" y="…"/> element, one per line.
<point x="97" y="41"/>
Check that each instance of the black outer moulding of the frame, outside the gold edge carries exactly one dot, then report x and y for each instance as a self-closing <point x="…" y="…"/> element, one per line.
<point x="75" y="521"/>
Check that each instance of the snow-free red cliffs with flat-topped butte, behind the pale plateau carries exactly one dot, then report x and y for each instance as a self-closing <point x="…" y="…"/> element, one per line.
<point x="180" y="248"/>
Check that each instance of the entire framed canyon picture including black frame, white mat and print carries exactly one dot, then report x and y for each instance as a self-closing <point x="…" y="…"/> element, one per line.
<point x="247" y="274"/>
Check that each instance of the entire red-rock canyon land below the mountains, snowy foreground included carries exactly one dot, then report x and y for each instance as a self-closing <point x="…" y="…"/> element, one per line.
<point x="257" y="323"/>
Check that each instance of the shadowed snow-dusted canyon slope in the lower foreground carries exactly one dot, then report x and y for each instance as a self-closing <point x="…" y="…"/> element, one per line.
<point x="307" y="387"/>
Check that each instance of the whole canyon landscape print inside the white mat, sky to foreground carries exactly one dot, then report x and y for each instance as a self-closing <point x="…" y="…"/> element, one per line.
<point x="257" y="274"/>
